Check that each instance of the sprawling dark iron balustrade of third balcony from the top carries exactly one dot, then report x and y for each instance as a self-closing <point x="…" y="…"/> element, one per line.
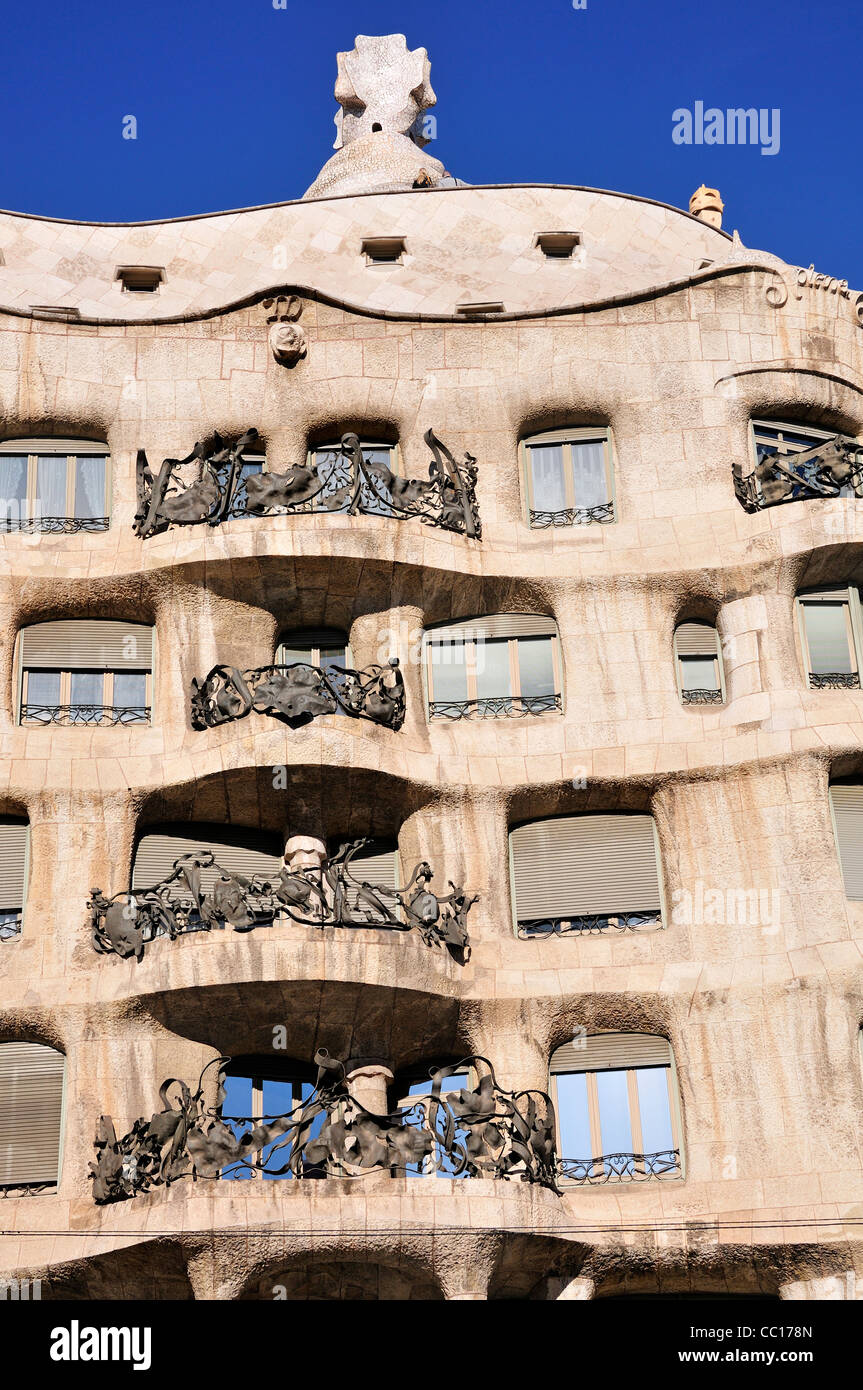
<point x="326" y="896"/>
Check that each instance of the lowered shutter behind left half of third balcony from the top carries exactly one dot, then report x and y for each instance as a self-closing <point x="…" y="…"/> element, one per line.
<point x="237" y="850"/>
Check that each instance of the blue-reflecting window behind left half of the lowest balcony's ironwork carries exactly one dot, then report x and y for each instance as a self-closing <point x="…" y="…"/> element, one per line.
<point x="259" y="1089"/>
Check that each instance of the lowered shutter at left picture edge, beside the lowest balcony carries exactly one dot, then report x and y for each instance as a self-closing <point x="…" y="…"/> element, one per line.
<point x="31" y="1113"/>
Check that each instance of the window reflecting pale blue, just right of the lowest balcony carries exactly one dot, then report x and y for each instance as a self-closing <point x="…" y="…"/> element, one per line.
<point x="616" y="1104"/>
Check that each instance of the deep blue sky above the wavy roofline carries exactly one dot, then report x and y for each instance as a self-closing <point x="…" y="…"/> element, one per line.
<point x="234" y="105"/>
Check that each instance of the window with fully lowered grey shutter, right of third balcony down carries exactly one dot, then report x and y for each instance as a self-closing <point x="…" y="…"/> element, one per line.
<point x="586" y="874"/>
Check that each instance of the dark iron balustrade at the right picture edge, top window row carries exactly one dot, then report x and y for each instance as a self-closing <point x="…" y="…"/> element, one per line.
<point x="822" y="472"/>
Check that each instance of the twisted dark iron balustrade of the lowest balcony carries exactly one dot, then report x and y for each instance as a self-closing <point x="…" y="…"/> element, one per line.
<point x="486" y="1132"/>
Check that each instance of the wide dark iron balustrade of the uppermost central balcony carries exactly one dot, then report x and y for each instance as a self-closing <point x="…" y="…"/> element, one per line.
<point x="213" y="484"/>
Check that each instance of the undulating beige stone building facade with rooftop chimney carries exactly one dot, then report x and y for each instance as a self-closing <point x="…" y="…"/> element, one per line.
<point x="390" y="302"/>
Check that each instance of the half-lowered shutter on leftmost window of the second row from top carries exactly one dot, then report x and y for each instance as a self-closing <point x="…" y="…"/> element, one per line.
<point x="84" y="644"/>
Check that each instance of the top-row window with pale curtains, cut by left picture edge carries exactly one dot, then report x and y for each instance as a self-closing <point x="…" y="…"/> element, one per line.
<point x="55" y="486"/>
